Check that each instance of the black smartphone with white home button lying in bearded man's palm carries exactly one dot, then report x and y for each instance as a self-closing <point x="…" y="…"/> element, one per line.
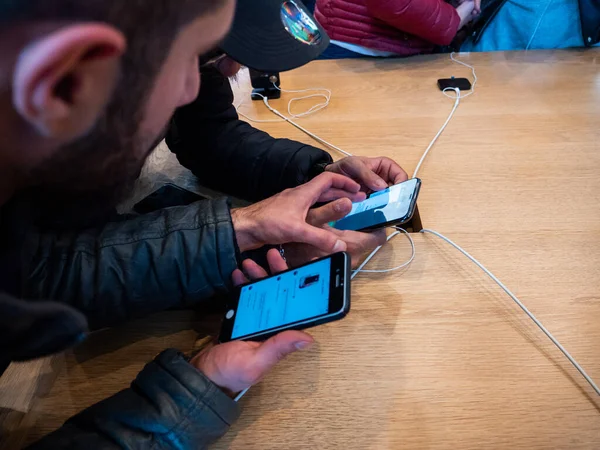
<point x="313" y="294"/>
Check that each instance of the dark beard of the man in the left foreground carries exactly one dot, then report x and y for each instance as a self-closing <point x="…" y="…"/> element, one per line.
<point x="82" y="184"/>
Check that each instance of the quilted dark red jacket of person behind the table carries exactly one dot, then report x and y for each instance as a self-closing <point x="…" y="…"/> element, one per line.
<point x="404" y="27"/>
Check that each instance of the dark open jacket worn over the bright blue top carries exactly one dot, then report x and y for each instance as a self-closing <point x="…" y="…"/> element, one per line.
<point x="589" y="12"/>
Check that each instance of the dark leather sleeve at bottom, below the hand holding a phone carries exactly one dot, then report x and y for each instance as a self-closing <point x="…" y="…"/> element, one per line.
<point x="170" y="405"/>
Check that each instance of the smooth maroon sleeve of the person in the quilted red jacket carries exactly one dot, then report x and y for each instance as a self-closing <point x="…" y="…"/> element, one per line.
<point x="433" y="20"/>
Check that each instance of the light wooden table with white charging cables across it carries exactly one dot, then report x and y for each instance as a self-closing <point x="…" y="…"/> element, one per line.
<point x="436" y="356"/>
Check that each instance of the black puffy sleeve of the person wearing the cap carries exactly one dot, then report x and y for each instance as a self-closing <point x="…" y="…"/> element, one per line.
<point x="229" y="155"/>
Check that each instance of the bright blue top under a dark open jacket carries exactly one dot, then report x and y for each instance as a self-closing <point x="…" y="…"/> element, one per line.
<point x="531" y="24"/>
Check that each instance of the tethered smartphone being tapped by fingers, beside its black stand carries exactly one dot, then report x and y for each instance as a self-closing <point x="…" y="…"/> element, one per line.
<point x="392" y="206"/>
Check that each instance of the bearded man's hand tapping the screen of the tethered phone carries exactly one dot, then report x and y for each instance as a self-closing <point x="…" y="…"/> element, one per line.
<point x="282" y="218"/>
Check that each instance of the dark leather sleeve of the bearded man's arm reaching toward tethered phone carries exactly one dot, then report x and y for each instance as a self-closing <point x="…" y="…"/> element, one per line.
<point x="142" y="264"/>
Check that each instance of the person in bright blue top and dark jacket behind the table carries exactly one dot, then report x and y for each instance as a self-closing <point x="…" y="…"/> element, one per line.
<point x="534" y="24"/>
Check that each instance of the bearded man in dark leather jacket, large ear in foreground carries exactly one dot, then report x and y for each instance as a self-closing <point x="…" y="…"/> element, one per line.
<point x="84" y="87"/>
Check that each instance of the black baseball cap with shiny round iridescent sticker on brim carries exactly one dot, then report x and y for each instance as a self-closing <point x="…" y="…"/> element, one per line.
<point x="274" y="35"/>
